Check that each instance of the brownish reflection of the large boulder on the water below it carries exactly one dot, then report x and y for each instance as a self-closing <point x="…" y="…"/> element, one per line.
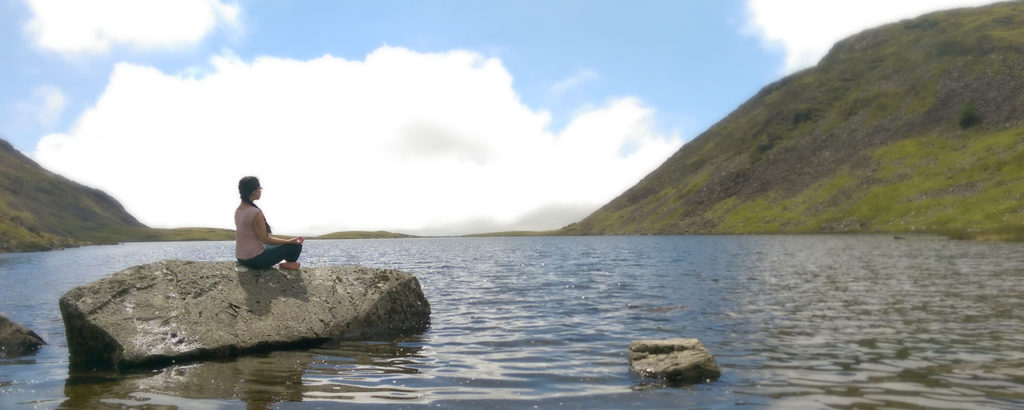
<point x="336" y="373"/>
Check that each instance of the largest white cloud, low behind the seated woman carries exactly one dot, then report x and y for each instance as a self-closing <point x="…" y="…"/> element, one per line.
<point x="429" y="143"/>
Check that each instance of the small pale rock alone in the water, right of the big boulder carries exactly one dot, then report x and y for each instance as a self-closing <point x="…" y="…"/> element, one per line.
<point x="679" y="361"/>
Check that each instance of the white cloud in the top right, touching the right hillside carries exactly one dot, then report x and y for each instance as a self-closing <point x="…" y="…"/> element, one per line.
<point x="807" y="29"/>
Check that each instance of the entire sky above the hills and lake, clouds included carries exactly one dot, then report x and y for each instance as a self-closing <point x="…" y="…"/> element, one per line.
<point x="431" y="117"/>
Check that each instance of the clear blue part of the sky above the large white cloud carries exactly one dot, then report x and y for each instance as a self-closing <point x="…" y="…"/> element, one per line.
<point x="669" y="53"/>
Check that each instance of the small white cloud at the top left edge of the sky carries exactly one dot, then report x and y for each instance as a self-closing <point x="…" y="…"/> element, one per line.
<point x="76" y="26"/>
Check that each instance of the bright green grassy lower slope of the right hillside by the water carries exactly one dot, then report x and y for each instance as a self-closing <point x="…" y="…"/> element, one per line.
<point x="931" y="184"/>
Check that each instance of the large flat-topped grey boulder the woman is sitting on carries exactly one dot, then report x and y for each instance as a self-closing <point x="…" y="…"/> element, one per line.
<point x="177" y="311"/>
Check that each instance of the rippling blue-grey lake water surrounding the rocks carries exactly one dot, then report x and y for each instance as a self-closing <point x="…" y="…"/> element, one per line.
<point x="794" y="321"/>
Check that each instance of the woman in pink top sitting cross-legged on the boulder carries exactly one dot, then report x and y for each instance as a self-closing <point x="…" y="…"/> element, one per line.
<point x="254" y="248"/>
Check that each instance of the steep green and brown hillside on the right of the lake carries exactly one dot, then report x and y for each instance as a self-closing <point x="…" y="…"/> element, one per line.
<point x="916" y="127"/>
